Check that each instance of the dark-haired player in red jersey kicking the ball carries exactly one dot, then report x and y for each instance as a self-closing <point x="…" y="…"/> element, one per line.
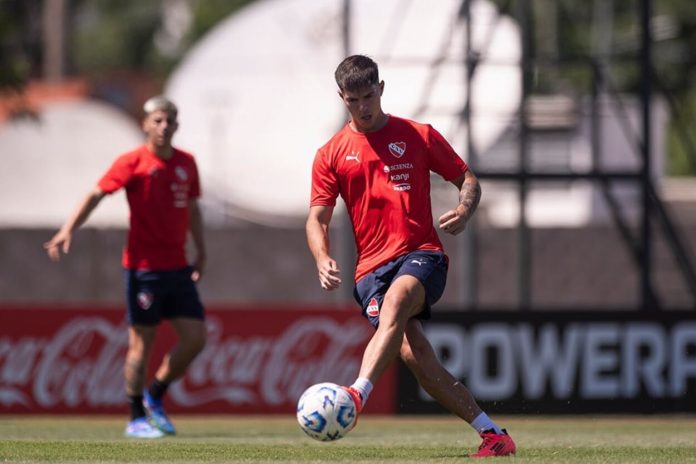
<point x="380" y="165"/>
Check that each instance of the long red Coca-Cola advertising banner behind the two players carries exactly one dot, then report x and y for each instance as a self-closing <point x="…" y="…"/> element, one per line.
<point x="256" y="360"/>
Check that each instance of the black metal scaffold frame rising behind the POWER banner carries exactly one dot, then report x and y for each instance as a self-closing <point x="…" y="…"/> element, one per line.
<point x="641" y="248"/>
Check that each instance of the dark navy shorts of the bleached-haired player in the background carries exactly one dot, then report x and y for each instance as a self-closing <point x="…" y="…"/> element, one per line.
<point x="156" y="295"/>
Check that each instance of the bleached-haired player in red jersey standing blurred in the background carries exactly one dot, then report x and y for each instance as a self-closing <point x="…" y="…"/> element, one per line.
<point x="162" y="188"/>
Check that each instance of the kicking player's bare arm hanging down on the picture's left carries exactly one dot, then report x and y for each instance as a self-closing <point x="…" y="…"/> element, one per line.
<point x="317" y="228"/>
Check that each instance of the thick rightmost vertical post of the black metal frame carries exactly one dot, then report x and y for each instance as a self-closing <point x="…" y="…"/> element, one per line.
<point x="647" y="298"/>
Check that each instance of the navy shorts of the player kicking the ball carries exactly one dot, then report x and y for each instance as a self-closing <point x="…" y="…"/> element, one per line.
<point x="429" y="267"/>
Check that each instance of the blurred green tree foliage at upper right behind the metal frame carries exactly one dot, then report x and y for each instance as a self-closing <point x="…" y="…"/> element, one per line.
<point x="565" y="35"/>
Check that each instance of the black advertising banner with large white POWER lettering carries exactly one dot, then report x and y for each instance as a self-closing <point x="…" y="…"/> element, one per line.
<point x="565" y="362"/>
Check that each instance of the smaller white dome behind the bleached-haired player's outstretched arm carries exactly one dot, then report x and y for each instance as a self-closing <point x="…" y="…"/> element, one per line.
<point x="48" y="165"/>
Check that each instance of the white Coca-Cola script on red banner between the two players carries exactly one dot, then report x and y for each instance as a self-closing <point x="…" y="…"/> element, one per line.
<point x="272" y="370"/>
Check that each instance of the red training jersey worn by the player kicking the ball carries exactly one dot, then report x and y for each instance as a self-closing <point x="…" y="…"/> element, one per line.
<point x="384" y="179"/>
